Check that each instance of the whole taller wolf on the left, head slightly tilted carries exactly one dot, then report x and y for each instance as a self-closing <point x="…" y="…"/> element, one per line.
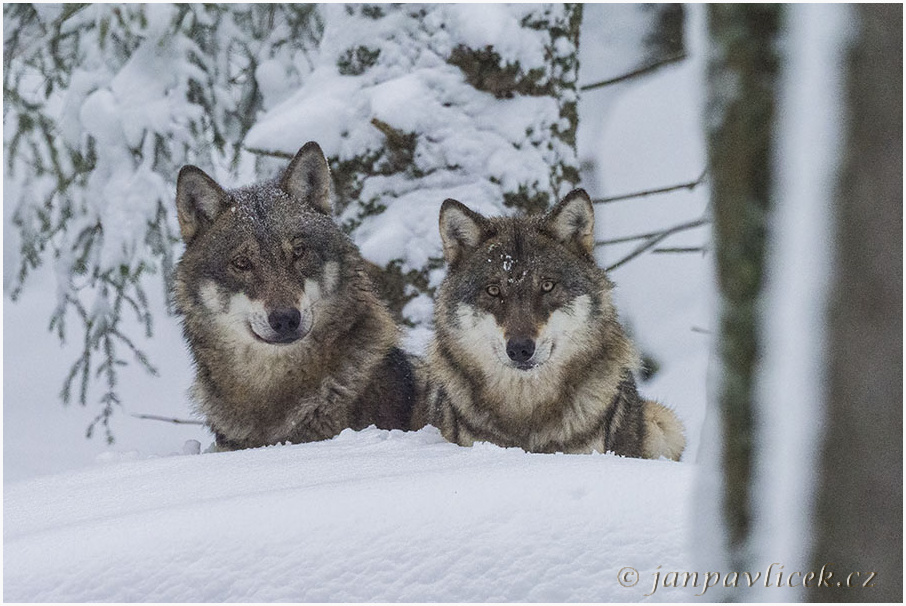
<point x="290" y="342"/>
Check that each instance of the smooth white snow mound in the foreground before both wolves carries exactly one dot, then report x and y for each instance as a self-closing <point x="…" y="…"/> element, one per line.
<point x="373" y="515"/>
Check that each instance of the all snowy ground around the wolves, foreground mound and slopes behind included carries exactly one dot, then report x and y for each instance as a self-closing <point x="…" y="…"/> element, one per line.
<point x="374" y="515"/>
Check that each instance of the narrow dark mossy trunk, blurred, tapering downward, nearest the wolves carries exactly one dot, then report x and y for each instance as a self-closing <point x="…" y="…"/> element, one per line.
<point x="742" y="95"/>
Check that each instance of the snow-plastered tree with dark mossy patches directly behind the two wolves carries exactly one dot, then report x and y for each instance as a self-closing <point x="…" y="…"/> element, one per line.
<point x="413" y="104"/>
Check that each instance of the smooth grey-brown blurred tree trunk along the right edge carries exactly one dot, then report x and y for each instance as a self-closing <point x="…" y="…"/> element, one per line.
<point x="859" y="525"/>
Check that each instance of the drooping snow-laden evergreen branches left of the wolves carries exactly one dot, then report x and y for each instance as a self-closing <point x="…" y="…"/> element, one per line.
<point x="102" y="105"/>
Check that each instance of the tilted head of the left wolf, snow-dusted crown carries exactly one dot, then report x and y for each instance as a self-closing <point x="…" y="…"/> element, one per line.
<point x="260" y="261"/>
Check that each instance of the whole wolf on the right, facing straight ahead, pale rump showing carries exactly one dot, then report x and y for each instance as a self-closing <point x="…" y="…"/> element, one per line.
<point x="528" y="351"/>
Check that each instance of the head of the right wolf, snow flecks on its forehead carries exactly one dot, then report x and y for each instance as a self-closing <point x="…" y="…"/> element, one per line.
<point x="521" y="293"/>
